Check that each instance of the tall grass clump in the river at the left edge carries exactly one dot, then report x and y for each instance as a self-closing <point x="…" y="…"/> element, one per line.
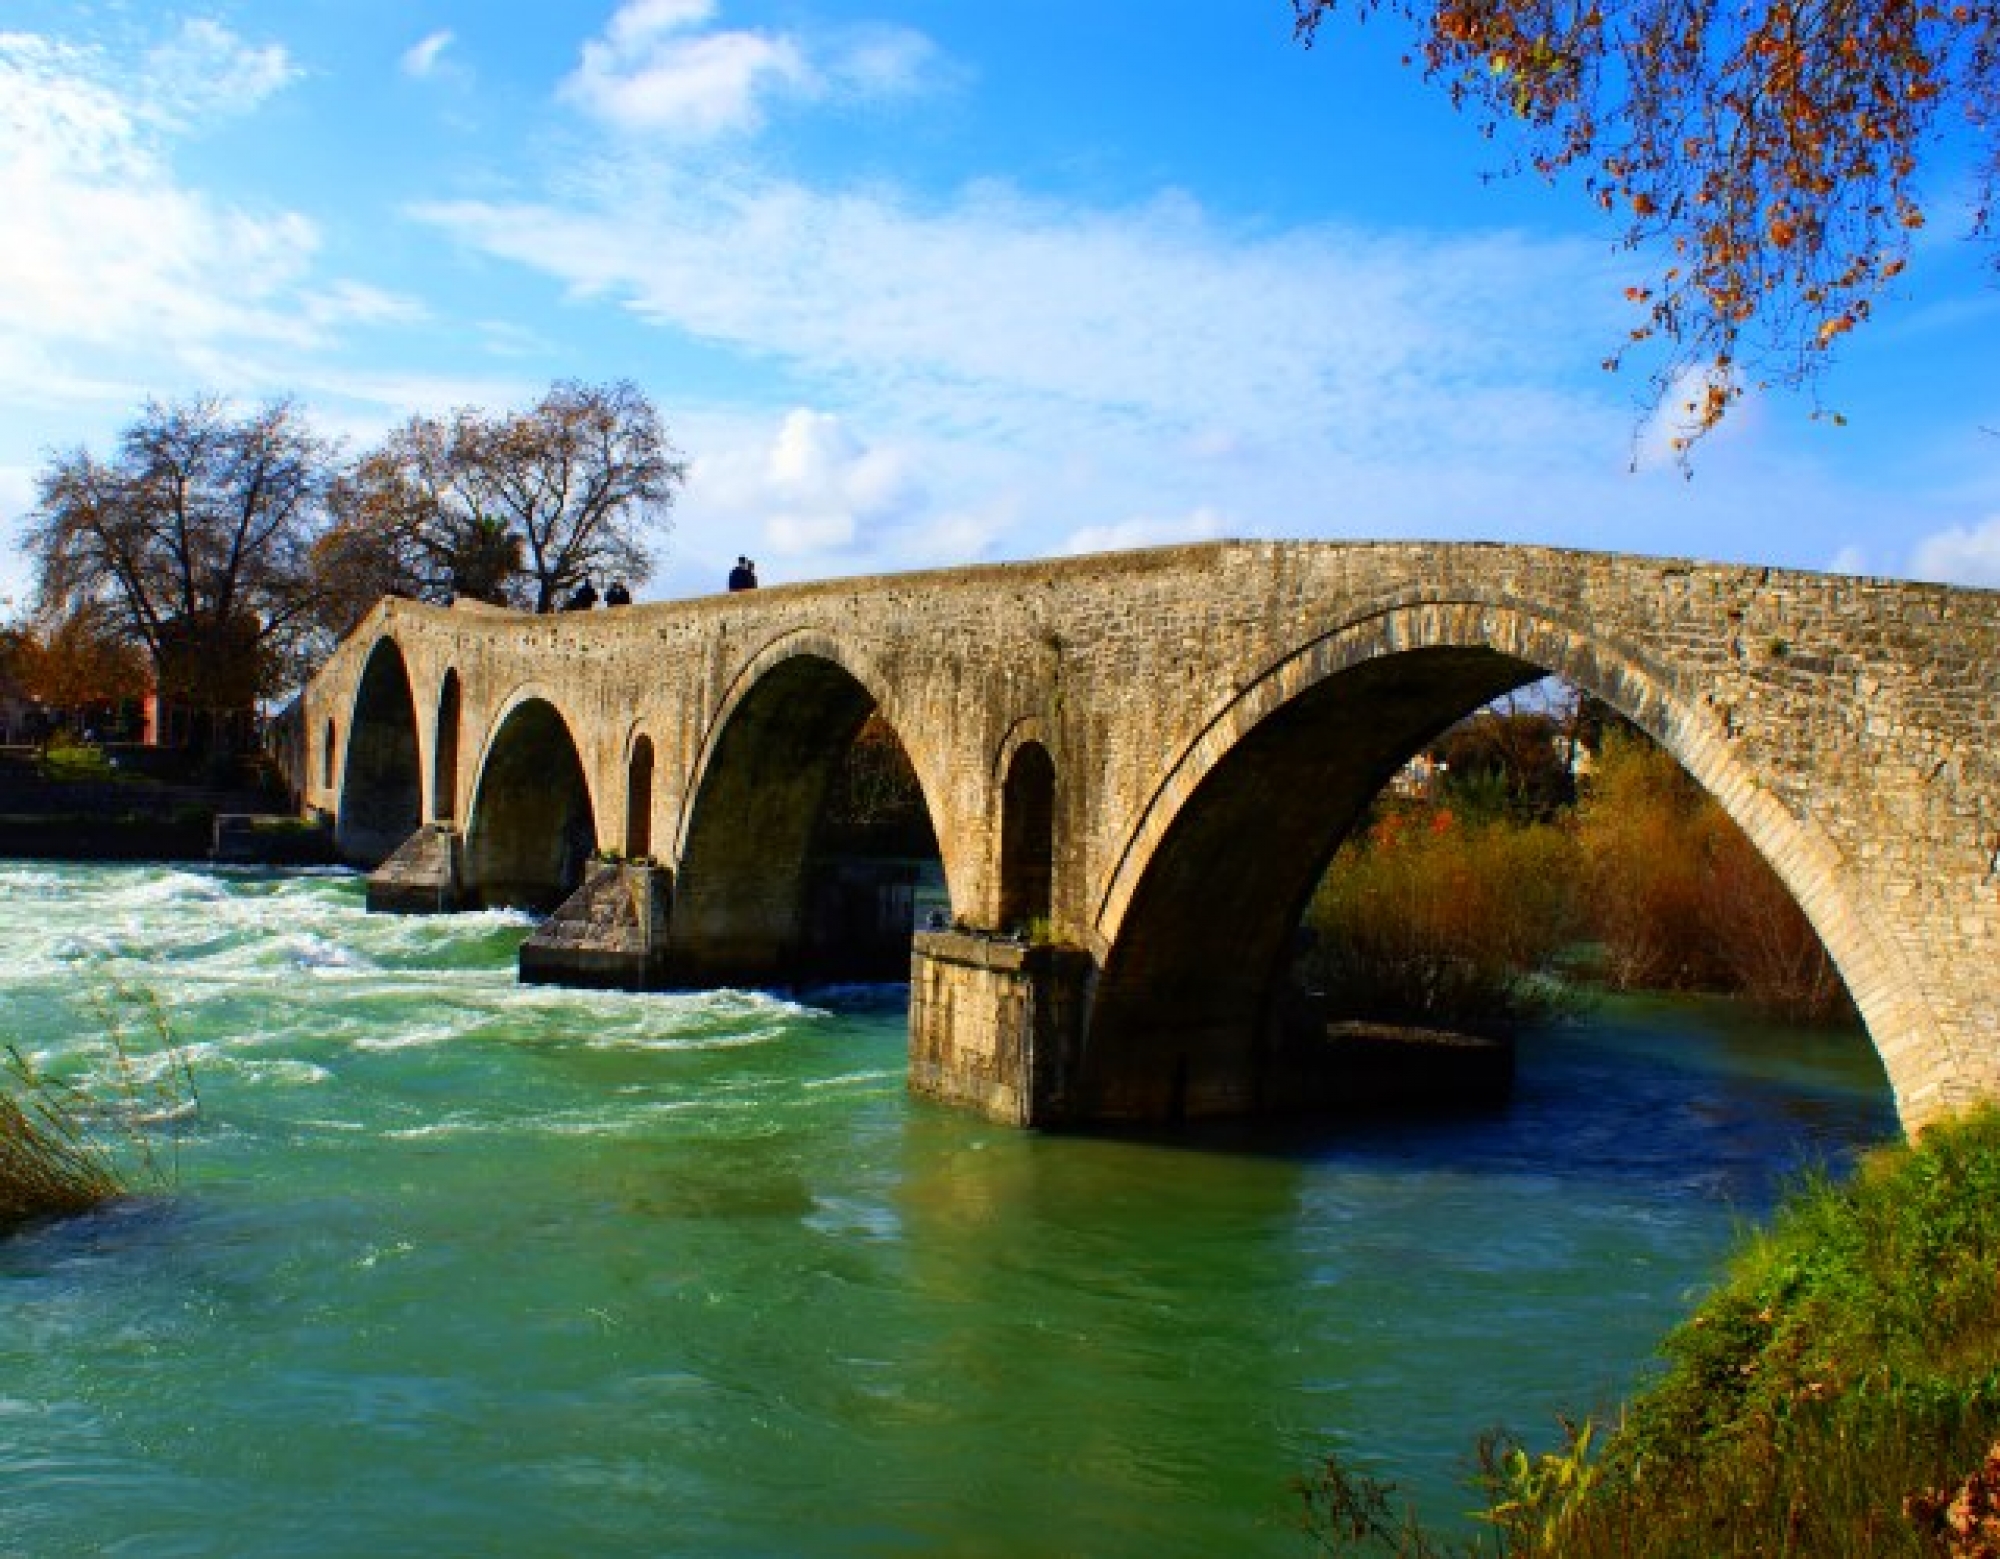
<point x="71" y="1146"/>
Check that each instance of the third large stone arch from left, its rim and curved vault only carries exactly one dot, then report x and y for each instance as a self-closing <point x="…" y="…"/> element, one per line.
<point x="759" y="784"/>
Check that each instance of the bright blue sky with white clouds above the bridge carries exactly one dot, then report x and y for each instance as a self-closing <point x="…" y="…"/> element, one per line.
<point x="923" y="283"/>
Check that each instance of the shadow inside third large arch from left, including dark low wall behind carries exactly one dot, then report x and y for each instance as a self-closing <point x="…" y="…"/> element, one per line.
<point x="757" y="898"/>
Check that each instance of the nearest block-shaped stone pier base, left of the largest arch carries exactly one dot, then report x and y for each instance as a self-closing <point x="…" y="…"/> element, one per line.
<point x="997" y="1026"/>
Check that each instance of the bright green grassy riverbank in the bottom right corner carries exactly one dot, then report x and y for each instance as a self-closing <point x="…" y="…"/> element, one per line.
<point x="1833" y="1396"/>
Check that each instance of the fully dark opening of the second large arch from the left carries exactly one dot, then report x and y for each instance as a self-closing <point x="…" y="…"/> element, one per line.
<point x="533" y="824"/>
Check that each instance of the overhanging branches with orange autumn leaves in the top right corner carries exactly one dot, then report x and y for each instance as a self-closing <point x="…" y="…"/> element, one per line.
<point x="1765" y="151"/>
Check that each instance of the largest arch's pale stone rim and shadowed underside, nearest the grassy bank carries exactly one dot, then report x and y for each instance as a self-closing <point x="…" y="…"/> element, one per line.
<point x="1197" y="922"/>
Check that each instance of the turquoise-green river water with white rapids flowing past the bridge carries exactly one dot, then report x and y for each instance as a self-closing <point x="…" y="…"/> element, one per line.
<point x="459" y="1268"/>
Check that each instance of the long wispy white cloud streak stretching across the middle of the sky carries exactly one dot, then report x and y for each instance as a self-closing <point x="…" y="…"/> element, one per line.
<point x="999" y="315"/>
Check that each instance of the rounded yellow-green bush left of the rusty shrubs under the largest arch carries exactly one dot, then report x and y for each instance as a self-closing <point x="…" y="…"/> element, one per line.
<point x="1439" y="922"/>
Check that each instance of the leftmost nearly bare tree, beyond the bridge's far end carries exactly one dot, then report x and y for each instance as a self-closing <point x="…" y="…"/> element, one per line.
<point x="195" y="541"/>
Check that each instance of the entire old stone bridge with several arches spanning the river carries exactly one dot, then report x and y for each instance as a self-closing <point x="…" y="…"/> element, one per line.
<point x="1149" y="761"/>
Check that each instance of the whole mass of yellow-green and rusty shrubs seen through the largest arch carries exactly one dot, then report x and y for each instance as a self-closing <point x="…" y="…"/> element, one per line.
<point x="1457" y="908"/>
